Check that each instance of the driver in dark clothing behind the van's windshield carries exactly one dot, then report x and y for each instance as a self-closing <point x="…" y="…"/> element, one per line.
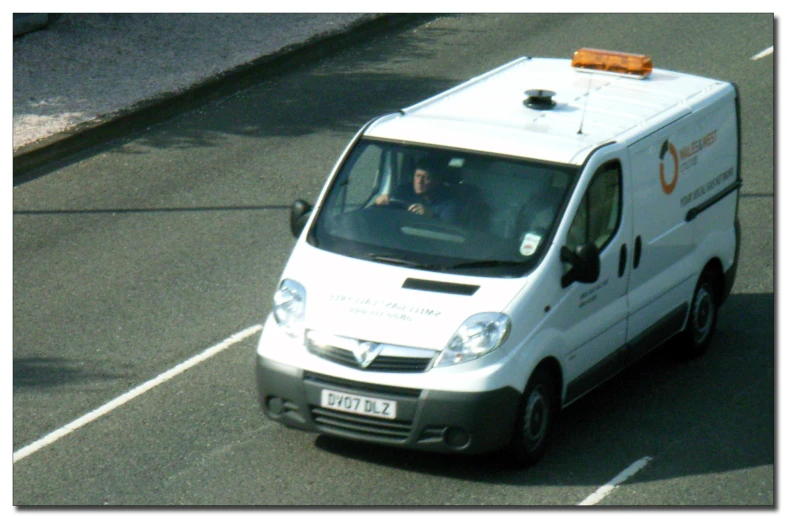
<point x="426" y="196"/>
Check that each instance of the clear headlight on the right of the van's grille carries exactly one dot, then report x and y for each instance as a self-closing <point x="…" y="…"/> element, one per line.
<point x="478" y="335"/>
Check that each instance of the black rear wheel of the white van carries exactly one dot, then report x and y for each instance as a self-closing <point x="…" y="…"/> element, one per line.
<point x="703" y="316"/>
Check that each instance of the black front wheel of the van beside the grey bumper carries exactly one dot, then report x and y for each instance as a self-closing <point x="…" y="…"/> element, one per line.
<point x="535" y="420"/>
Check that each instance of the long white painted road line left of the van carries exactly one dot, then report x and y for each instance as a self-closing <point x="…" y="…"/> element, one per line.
<point x="124" y="398"/>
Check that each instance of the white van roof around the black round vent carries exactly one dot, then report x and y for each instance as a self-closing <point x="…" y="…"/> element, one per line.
<point x="488" y="114"/>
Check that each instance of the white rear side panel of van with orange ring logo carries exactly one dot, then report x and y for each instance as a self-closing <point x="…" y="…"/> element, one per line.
<point x="675" y="170"/>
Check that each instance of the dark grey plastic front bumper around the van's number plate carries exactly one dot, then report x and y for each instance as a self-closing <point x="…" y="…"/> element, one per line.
<point x="429" y="420"/>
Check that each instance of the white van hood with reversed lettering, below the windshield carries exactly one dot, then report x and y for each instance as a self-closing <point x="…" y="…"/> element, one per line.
<point x="391" y="304"/>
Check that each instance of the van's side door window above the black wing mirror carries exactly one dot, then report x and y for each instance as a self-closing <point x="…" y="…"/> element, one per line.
<point x="598" y="216"/>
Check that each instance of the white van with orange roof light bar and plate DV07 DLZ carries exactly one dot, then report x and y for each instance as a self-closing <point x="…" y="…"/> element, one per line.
<point x="482" y="259"/>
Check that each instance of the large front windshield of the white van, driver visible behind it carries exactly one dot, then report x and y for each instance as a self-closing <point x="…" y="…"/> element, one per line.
<point x="446" y="210"/>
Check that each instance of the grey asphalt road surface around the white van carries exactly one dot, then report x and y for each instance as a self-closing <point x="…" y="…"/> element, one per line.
<point x="141" y="254"/>
